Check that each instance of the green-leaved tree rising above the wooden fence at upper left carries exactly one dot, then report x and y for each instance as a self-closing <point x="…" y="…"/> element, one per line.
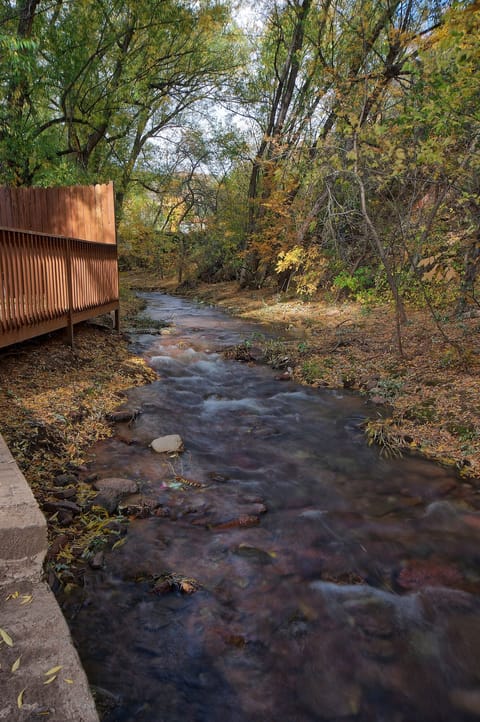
<point x="114" y="75"/>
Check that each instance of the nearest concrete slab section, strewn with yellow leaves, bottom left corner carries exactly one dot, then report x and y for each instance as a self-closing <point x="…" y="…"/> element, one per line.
<point x="31" y="617"/>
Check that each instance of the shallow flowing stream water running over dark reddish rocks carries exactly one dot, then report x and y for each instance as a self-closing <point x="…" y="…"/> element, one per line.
<point x="331" y="584"/>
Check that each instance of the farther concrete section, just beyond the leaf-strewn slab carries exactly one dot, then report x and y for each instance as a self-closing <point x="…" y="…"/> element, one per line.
<point x="23" y="529"/>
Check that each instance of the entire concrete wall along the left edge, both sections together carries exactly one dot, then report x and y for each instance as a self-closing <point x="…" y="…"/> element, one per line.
<point x="34" y="636"/>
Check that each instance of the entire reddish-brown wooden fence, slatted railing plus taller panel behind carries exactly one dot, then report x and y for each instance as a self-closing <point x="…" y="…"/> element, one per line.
<point x="49" y="280"/>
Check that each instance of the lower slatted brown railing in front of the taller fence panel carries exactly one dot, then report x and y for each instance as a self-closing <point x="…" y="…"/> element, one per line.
<point x="49" y="282"/>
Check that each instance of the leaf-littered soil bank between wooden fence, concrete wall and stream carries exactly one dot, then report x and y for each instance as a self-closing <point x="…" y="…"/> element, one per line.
<point x="55" y="404"/>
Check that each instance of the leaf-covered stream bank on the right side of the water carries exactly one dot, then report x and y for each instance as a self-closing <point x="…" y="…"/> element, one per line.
<point x="432" y="397"/>
